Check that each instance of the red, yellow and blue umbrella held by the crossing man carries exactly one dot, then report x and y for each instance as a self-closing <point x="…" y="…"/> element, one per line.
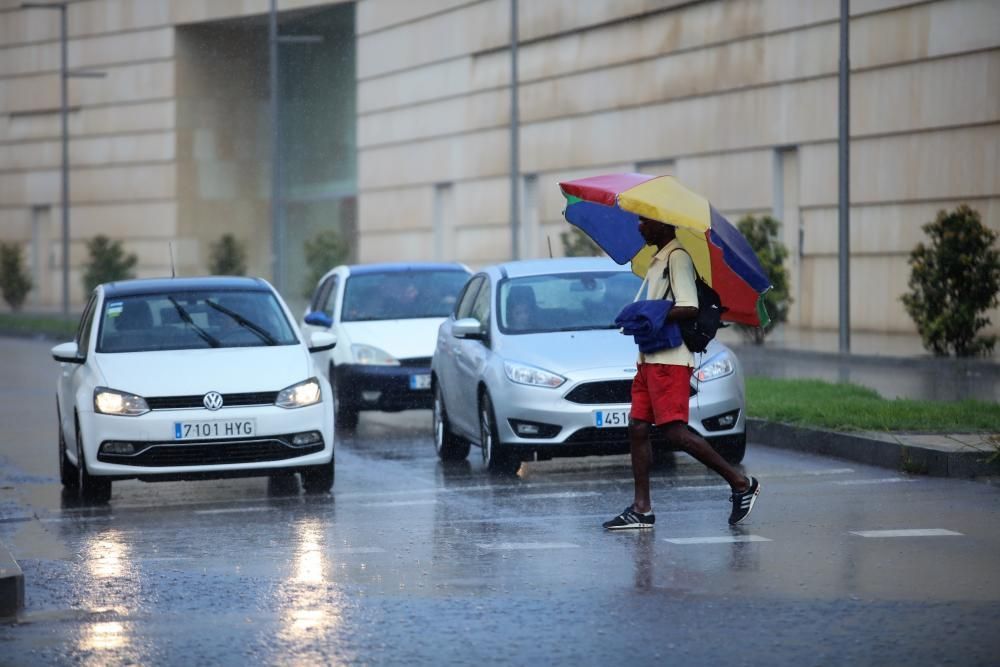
<point x="607" y="209"/>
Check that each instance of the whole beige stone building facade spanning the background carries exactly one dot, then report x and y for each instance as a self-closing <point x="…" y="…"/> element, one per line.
<point x="737" y="98"/>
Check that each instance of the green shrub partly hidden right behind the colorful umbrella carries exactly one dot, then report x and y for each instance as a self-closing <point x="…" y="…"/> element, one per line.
<point x="762" y="235"/>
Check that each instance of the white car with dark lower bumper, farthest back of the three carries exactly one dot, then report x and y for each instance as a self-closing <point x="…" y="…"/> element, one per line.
<point x="386" y="318"/>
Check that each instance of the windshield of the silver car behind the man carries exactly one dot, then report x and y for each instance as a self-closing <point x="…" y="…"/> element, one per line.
<point x="564" y="302"/>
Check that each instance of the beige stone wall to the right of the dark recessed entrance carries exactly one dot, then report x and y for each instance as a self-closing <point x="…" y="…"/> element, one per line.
<point x="738" y="99"/>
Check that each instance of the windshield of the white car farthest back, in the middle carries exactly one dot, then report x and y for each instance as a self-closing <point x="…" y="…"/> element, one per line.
<point x="401" y="295"/>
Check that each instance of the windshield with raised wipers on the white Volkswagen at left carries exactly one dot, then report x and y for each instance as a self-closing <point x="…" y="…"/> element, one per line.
<point x="193" y="320"/>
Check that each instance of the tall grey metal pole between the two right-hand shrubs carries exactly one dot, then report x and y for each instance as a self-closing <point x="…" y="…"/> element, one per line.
<point x="844" y="200"/>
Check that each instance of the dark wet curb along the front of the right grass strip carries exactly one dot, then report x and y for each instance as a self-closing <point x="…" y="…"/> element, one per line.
<point x="887" y="453"/>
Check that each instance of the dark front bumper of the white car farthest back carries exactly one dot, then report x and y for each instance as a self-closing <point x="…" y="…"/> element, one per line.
<point x="387" y="388"/>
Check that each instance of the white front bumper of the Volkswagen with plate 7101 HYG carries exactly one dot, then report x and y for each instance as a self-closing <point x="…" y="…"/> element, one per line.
<point x="158" y="454"/>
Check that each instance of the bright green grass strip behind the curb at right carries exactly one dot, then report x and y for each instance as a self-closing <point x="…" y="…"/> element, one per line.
<point x="849" y="407"/>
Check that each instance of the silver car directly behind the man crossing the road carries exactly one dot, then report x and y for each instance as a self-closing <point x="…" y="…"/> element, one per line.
<point x="530" y="366"/>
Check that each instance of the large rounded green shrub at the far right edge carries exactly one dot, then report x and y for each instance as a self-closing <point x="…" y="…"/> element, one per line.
<point x="954" y="280"/>
